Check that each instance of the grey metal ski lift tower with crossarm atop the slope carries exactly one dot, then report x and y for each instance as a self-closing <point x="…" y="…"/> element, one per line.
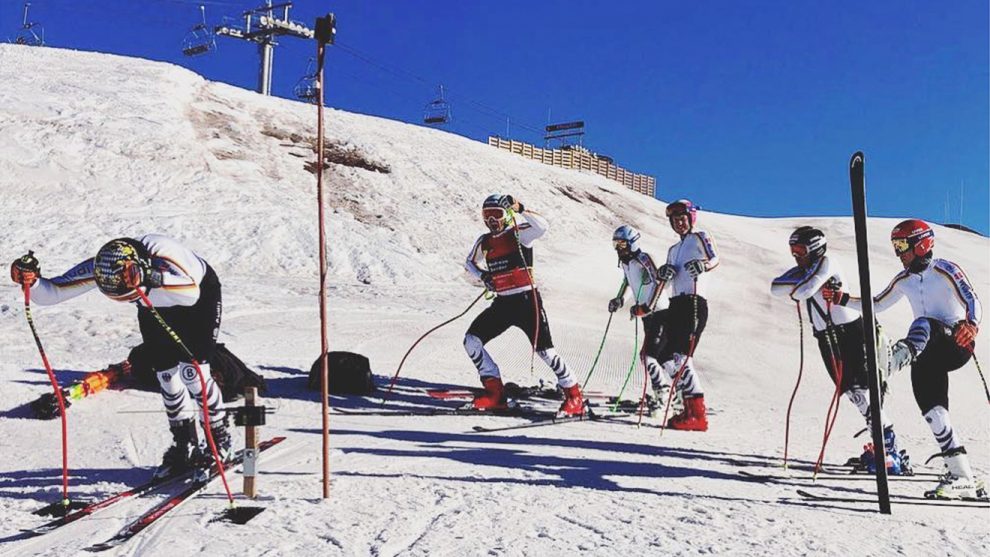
<point x="261" y="26"/>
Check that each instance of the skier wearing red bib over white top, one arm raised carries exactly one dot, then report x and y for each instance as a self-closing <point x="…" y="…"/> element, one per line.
<point x="507" y="251"/>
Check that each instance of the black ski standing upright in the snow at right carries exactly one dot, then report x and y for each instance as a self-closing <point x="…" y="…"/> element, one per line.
<point x="857" y="182"/>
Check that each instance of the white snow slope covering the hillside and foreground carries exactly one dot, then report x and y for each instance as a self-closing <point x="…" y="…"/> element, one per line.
<point x="97" y="146"/>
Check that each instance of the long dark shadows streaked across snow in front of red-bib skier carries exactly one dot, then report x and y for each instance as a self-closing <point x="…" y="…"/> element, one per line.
<point x="586" y="471"/>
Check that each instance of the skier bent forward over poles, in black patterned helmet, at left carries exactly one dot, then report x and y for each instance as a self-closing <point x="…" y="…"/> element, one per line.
<point x="185" y="291"/>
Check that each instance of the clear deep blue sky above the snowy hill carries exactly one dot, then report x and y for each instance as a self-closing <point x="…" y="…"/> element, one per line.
<point x="745" y="107"/>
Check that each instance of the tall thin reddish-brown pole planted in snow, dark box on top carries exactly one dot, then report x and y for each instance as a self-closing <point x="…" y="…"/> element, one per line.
<point x="324" y="35"/>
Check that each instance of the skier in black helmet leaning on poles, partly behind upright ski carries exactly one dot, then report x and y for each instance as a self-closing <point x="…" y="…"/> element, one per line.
<point x="839" y="332"/>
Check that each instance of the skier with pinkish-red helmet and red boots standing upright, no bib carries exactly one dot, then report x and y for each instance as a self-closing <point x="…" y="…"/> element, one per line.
<point x="686" y="269"/>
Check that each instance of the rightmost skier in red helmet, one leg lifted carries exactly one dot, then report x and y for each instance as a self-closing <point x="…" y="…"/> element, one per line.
<point x="941" y="339"/>
